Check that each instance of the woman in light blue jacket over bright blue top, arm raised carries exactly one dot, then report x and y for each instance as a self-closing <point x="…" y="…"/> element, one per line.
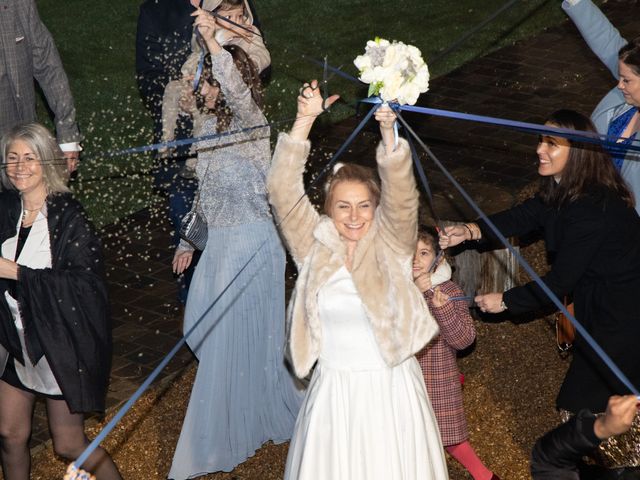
<point x="617" y="113"/>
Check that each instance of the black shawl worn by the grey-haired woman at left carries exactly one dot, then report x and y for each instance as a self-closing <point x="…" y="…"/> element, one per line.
<point x="65" y="309"/>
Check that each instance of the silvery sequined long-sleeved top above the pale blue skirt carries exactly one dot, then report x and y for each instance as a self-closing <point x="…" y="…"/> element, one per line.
<point x="232" y="168"/>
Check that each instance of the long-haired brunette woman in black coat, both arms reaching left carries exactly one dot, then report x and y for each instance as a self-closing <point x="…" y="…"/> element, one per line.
<point x="592" y="236"/>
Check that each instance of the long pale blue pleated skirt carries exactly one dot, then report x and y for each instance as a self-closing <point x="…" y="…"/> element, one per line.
<point x="243" y="394"/>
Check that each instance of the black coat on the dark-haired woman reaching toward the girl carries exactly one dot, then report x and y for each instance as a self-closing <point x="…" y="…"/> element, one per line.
<point x="594" y="244"/>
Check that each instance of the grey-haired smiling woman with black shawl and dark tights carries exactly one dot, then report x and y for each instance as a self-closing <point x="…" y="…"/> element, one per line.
<point x="55" y="333"/>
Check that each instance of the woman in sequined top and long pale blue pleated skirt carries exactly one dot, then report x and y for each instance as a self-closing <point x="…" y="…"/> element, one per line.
<point x="243" y="394"/>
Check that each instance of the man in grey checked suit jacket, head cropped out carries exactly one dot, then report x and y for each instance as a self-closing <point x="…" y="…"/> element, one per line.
<point x="27" y="51"/>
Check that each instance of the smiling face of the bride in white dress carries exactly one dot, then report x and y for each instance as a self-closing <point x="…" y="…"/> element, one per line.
<point x="352" y="209"/>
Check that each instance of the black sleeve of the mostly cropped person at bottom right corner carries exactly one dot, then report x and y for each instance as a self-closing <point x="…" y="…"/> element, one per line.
<point x="556" y="455"/>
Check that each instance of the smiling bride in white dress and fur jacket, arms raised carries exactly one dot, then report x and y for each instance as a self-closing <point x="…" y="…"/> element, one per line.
<point x="355" y="313"/>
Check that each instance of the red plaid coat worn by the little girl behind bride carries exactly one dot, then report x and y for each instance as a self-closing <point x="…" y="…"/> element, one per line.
<point x="438" y="363"/>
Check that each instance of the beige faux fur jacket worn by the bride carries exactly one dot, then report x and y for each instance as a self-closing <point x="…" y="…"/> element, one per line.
<point x="382" y="262"/>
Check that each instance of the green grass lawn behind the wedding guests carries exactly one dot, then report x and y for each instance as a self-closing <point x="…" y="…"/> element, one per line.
<point x="97" y="44"/>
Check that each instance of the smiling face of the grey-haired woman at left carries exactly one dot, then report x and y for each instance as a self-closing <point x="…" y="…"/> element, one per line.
<point x="24" y="168"/>
